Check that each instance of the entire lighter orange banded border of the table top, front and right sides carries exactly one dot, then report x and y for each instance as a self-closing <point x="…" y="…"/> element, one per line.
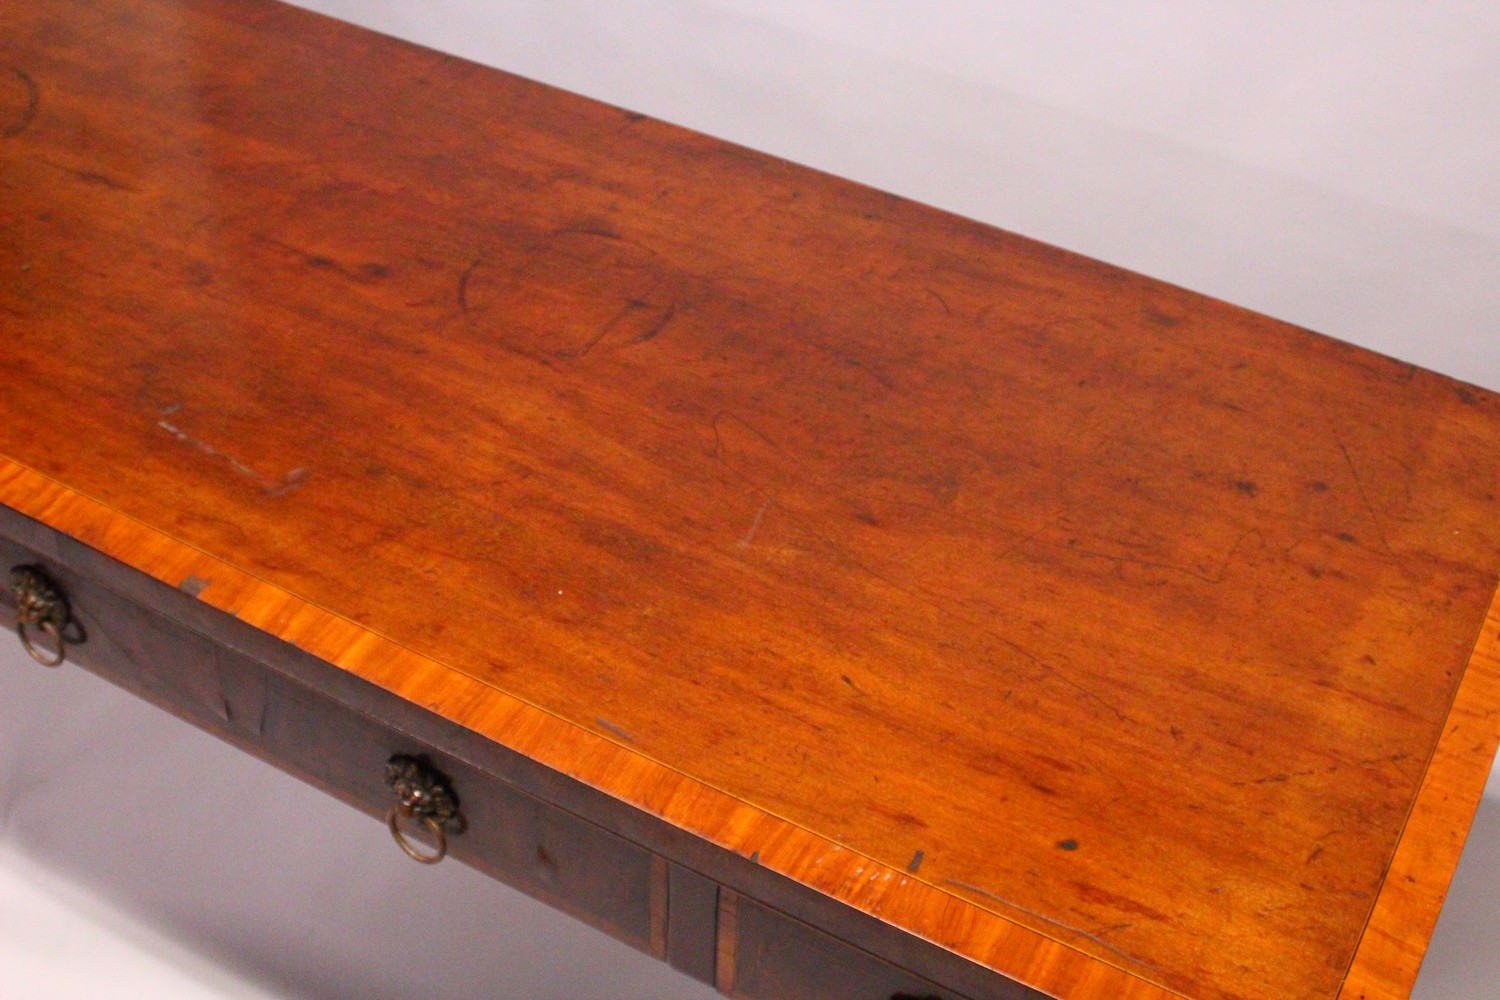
<point x="1385" y="965"/>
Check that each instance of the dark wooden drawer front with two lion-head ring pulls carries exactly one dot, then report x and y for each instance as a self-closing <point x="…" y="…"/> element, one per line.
<point x="521" y="840"/>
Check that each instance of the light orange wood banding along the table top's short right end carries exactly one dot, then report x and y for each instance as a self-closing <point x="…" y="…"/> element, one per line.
<point x="1417" y="882"/>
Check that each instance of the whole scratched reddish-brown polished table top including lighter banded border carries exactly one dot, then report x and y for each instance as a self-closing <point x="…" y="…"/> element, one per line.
<point x="1096" y="630"/>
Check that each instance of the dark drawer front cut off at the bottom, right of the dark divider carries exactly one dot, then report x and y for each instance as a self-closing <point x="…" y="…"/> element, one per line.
<point x="769" y="956"/>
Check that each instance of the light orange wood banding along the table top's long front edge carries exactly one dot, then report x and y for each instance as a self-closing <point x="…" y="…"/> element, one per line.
<point x="895" y="897"/>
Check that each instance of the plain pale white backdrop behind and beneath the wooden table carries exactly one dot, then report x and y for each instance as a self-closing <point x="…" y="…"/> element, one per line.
<point x="1333" y="164"/>
